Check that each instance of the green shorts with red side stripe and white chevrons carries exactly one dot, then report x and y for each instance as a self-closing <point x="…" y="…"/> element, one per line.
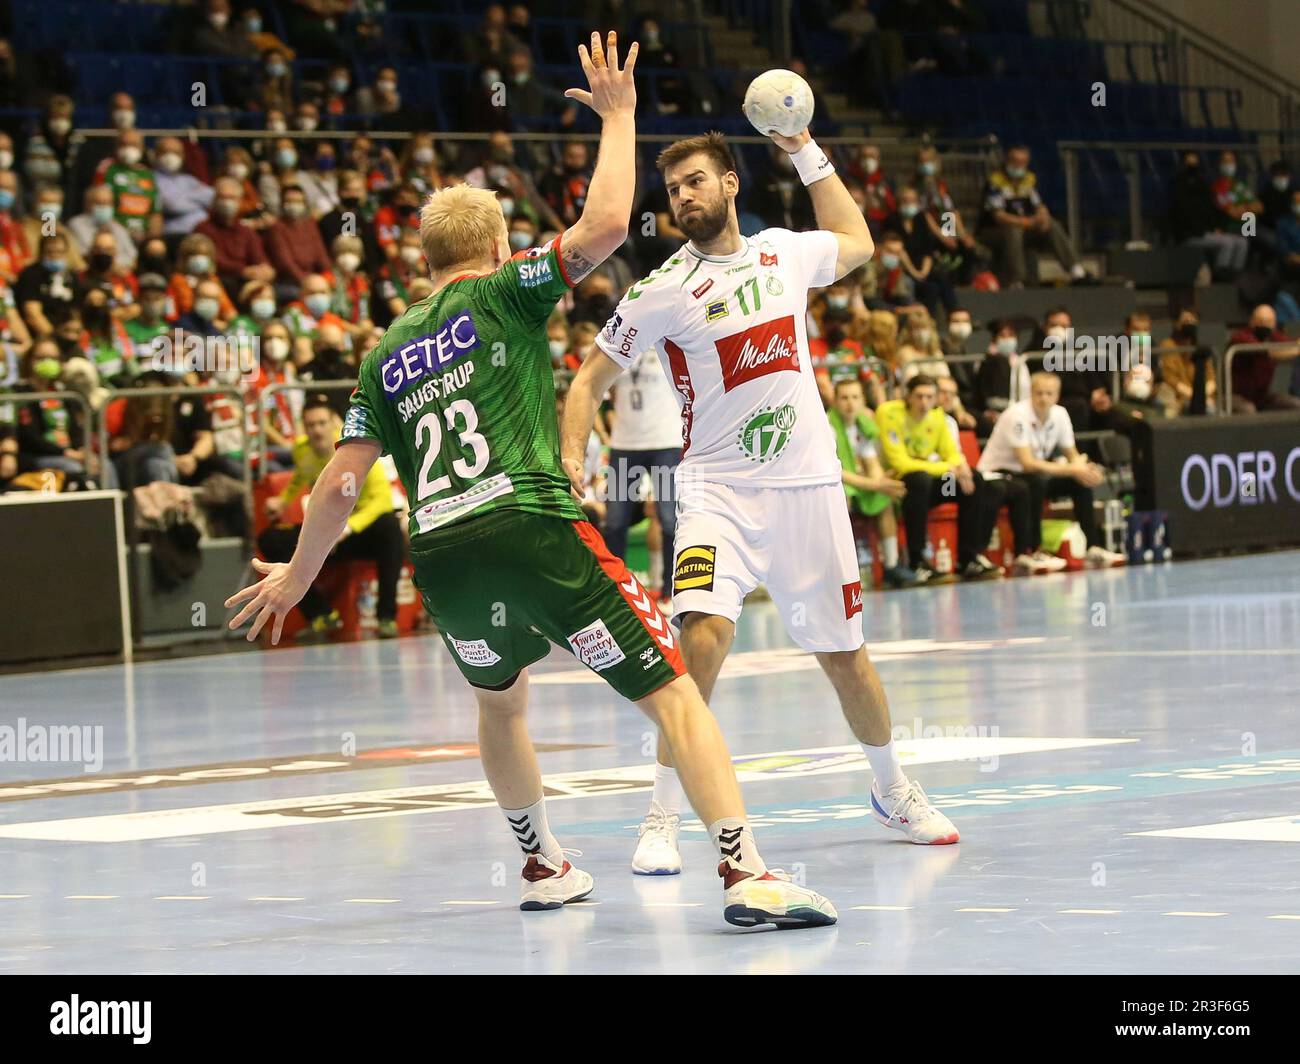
<point x="505" y="586"/>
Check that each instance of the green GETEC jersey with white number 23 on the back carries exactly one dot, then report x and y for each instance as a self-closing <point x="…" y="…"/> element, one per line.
<point x="461" y="393"/>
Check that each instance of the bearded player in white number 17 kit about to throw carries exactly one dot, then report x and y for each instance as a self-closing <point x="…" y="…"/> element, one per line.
<point x="760" y="496"/>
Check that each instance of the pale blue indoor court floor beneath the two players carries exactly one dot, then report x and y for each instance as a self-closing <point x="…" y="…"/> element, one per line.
<point x="1120" y="750"/>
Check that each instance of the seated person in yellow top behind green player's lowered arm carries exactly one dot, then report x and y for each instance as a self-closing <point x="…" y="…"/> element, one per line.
<point x="372" y="531"/>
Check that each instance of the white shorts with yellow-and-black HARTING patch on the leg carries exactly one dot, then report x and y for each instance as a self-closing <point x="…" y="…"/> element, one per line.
<point x="795" y="540"/>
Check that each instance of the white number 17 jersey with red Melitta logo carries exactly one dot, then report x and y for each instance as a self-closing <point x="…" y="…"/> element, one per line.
<point x="731" y="334"/>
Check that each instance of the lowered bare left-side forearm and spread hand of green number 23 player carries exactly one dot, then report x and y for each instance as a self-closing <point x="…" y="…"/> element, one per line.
<point x="333" y="498"/>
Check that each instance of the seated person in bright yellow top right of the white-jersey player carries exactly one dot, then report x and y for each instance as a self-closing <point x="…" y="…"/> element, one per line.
<point x="921" y="451"/>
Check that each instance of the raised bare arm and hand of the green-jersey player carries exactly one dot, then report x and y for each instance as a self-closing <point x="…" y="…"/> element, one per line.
<point x="613" y="96"/>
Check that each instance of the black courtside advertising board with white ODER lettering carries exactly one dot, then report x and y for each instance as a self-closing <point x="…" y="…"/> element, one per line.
<point x="1224" y="482"/>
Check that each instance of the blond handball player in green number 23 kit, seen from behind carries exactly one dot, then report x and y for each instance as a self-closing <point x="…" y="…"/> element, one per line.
<point x="461" y="395"/>
